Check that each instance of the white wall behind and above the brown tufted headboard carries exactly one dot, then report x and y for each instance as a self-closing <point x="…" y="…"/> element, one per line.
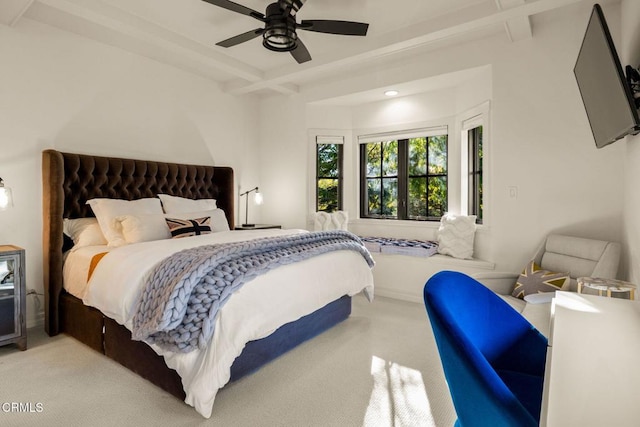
<point x="58" y="90"/>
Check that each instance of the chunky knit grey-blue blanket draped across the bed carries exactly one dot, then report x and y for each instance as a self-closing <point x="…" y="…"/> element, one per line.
<point x="183" y="294"/>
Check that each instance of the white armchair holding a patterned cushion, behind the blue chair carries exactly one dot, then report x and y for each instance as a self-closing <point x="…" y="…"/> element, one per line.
<point x="574" y="255"/>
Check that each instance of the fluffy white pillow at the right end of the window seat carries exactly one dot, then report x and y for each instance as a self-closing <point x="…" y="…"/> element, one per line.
<point x="456" y="235"/>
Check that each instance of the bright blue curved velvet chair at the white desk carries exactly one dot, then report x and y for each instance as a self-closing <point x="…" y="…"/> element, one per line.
<point x="493" y="358"/>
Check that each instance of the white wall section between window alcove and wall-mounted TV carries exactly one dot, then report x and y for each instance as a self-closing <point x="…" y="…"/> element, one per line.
<point x="543" y="145"/>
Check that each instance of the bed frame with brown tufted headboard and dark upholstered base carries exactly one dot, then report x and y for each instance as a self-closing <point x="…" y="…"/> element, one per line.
<point x="70" y="180"/>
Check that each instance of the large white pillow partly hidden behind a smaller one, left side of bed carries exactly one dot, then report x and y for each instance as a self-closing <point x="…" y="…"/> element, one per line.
<point x="106" y="210"/>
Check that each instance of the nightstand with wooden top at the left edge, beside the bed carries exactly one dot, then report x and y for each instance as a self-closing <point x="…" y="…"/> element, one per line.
<point x="12" y="297"/>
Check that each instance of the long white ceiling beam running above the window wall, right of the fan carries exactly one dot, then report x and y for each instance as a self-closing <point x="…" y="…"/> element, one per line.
<point x="286" y="74"/>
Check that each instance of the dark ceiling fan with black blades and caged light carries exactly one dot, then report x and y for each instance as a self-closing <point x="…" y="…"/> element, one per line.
<point x="279" y="32"/>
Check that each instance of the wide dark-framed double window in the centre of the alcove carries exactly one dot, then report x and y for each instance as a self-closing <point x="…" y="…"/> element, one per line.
<point x="406" y="177"/>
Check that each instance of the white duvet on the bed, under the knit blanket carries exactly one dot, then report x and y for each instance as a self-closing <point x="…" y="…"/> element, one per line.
<point x="261" y="306"/>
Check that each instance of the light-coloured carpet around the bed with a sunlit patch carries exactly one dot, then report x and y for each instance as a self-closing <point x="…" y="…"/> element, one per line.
<point x="378" y="368"/>
